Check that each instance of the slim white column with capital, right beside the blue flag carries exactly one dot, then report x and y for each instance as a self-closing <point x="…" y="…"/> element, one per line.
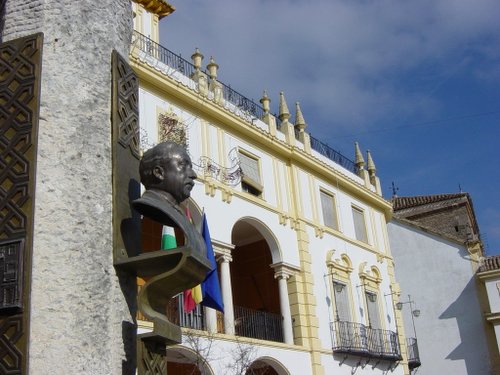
<point x="223" y="252"/>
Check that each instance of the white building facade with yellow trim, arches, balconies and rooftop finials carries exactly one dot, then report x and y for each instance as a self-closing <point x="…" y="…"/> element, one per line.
<point x="301" y="240"/>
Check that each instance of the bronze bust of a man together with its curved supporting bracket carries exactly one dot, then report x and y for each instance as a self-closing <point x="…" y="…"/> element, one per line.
<point x="167" y="173"/>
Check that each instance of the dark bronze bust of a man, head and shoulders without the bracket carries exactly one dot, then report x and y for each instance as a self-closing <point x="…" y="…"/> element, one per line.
<point x="167" y="173"/>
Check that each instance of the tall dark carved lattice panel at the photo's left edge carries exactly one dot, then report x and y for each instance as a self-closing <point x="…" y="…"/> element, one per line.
<point x="20" y="73"/>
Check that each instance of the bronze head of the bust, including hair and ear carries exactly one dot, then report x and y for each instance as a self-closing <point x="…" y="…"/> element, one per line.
<point x="168" y="167"/>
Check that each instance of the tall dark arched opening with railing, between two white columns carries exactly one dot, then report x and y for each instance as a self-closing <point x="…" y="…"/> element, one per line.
<point x="255" y="291"/>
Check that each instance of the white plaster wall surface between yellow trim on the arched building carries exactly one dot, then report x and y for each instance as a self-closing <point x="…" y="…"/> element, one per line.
<point x="277" y="197"/>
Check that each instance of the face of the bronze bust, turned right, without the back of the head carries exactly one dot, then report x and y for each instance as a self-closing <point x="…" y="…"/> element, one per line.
<point x="177" y="175"/>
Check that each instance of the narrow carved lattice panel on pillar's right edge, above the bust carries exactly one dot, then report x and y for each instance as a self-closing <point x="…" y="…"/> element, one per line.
<point x="126" y="109"/>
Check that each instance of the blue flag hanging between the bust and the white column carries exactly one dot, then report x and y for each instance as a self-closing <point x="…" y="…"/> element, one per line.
<point x="210" y="288"/>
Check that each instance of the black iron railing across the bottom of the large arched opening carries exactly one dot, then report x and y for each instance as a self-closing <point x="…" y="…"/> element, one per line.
<point x="258" y="324"/>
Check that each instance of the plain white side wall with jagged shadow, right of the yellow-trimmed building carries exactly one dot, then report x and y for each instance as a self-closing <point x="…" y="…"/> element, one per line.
<point x="438" y="275"/>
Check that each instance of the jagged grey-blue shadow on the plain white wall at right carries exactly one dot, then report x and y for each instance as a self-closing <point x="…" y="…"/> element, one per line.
<point x="473" y="348"/>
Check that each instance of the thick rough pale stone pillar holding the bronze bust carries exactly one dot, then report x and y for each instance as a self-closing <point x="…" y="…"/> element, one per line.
<point x="80" y="321"/>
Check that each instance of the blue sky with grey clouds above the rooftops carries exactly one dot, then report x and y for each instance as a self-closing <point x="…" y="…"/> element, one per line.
<point x="415" y="82"/>
